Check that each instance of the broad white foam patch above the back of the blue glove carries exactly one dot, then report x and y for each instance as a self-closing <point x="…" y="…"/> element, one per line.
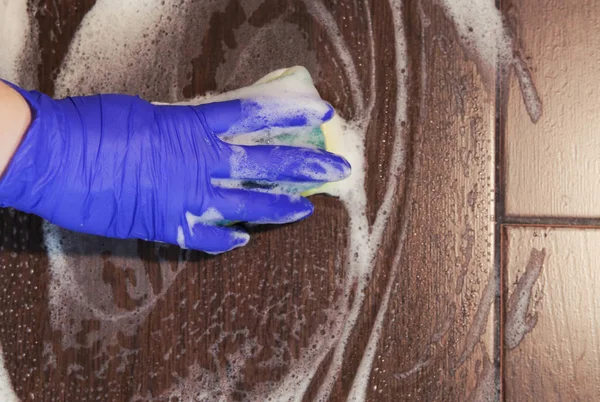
<point x="116" y="38"/>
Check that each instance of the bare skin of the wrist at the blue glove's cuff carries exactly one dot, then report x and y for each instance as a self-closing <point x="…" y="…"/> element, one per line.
<point x="15" y="118"/>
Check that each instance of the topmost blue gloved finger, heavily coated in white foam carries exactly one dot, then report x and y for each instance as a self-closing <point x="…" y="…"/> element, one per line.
<point x="250" y="115"/>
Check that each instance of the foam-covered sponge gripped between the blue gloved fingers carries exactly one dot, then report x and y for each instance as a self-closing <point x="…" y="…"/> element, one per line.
<point x="292" y="82"/>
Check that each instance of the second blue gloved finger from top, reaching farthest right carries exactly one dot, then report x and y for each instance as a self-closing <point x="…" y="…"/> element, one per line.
<point x="281" y="163"/>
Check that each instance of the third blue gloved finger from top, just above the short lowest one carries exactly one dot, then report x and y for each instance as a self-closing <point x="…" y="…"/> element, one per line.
<point x="232" y="204"/>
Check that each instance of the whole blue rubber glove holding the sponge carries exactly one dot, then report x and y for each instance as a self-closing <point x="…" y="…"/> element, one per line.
<point x="119" y="166"/>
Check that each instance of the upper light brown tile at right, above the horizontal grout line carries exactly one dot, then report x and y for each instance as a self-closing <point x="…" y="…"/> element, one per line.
<point x="553" y="167"/>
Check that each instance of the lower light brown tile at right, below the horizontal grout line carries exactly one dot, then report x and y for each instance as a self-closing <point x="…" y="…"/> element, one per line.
<point x="552" y="314"/>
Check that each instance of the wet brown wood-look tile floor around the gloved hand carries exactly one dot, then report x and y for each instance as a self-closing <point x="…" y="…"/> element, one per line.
<point x="250" y="319"/>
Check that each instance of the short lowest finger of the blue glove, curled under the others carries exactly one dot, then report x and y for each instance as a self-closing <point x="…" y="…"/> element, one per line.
<point x="210" y="239"/>
